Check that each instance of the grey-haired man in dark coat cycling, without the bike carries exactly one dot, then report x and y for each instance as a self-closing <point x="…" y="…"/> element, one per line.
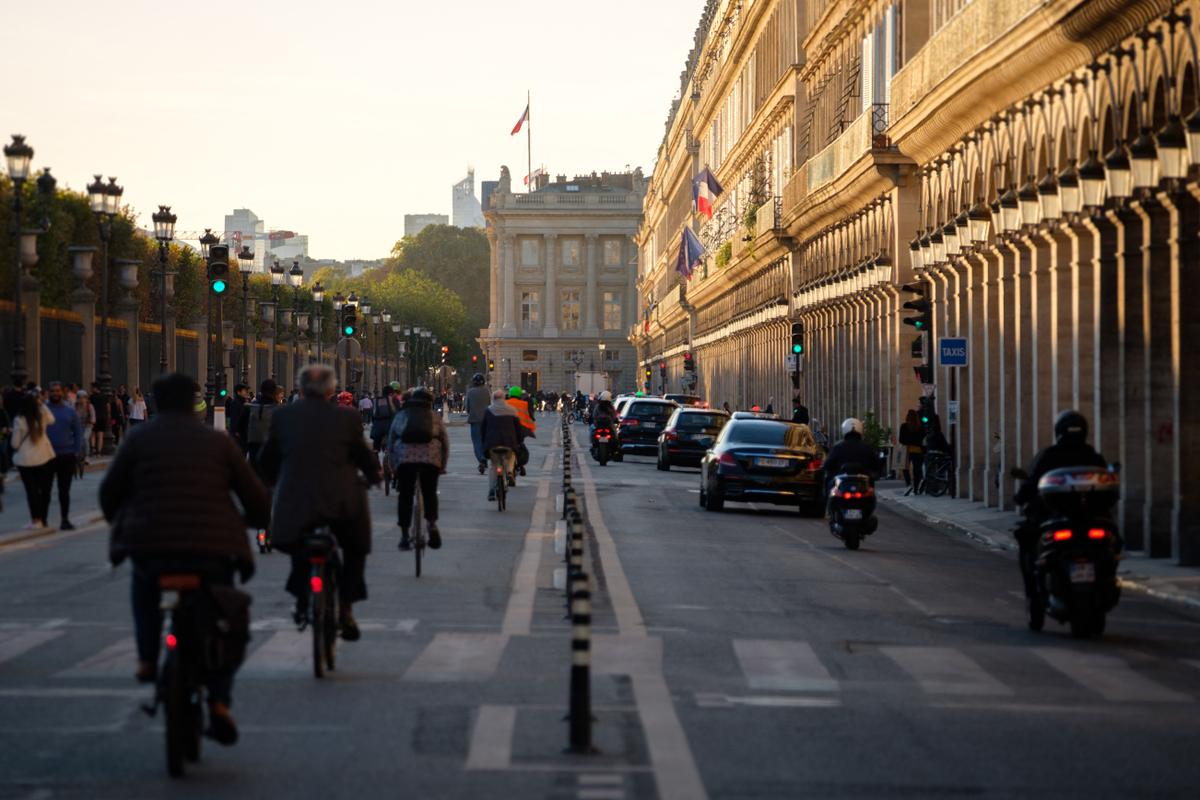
<point x="317" y="459"/>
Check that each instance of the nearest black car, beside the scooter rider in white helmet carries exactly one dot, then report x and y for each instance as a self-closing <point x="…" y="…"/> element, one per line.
<point x="758" y="460"/>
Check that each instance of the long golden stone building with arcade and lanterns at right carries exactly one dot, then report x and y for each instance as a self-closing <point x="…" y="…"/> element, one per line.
<point x="1034" y="166"/>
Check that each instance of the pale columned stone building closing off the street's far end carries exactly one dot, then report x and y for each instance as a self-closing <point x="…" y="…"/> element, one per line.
<point x="562" y="280"/>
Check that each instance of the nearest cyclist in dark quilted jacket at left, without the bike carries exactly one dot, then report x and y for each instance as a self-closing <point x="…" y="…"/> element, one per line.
<point x="177" y="515"/>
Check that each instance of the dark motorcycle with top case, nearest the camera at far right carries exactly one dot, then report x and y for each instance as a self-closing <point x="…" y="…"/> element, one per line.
<point x="1078" y="549"/>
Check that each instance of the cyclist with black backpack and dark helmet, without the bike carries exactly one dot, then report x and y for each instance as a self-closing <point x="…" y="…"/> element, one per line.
<point x="419" y="449"/>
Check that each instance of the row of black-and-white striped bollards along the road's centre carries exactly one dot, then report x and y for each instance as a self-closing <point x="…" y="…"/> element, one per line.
<point x="579" y="607"/>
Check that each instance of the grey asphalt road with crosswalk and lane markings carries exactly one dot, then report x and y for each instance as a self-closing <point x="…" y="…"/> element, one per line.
<point x="742" y="654"/>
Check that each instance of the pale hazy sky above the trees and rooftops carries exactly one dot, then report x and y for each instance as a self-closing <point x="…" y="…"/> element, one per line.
<point x="335" y="119"/>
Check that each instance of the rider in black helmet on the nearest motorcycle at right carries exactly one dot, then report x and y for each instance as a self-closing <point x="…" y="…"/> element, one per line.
<point x="1071" y="449"/>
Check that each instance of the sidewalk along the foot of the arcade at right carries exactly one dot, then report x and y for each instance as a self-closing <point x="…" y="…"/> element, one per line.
<point x="993" y="528"/>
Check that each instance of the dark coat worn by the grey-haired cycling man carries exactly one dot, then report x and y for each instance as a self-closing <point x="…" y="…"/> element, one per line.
<point x="314" y="455"/>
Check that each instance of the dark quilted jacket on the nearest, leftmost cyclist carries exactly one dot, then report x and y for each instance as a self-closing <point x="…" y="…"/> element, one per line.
<point x="169" y="494"/>
